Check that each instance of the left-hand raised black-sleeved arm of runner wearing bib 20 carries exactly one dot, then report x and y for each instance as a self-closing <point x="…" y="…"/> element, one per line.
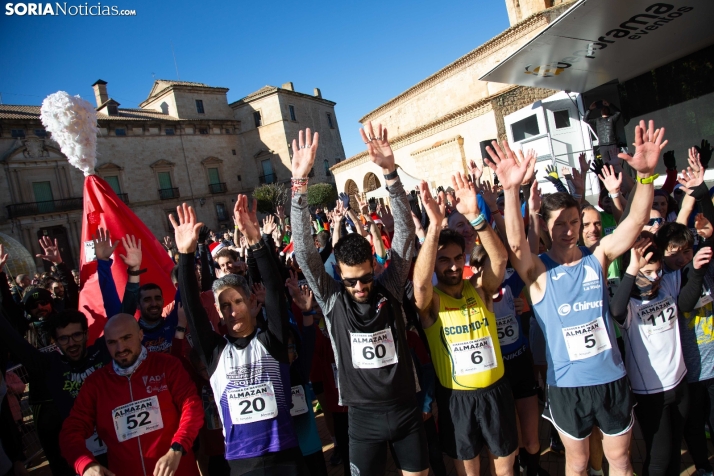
<point x="186" y="237"/>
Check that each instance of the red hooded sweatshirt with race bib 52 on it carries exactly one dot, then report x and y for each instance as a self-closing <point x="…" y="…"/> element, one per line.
<point x="104" y="400"/>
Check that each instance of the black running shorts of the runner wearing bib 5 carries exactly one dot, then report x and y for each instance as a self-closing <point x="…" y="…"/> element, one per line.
<point x="575" y="410"/>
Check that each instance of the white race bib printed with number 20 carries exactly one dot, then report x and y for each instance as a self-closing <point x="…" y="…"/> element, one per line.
<point x="252" y="403"/>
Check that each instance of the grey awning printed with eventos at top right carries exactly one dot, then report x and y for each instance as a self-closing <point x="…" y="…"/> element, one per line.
<point x="596" y="41"/>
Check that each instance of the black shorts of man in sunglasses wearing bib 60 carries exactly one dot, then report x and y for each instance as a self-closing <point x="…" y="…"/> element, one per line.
<point x="371" y="428"/>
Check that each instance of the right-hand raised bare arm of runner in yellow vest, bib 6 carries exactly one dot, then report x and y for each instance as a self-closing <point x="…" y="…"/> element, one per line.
<point x="467" y="205"/>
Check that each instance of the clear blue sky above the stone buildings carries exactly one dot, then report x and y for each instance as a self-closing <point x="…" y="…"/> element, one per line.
<point x="360" y="54"/>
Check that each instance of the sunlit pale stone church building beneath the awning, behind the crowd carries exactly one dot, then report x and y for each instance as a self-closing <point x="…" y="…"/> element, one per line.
<point x="453" y="107"/>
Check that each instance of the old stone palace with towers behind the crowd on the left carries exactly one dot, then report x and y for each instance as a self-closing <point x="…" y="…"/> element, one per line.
<point x="184" y="143"/>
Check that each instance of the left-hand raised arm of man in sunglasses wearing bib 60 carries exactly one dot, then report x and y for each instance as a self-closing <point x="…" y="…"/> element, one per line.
<point x="324" y="287"/>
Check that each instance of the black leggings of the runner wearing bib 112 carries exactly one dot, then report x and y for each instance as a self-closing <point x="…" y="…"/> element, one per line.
<point x="661" y="417"/>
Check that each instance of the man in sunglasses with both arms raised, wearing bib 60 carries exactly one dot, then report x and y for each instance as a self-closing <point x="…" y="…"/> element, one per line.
<point x="366" y="321"/>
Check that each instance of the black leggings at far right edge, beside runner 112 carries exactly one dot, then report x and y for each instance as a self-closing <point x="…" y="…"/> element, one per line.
<point x="701" y="405"/>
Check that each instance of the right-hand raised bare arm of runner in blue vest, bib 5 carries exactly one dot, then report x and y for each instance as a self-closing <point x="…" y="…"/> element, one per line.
<point x="648" y="147"/>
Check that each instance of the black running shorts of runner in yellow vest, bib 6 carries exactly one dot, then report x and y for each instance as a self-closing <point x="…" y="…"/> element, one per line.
<point x="470" y="419"/>
